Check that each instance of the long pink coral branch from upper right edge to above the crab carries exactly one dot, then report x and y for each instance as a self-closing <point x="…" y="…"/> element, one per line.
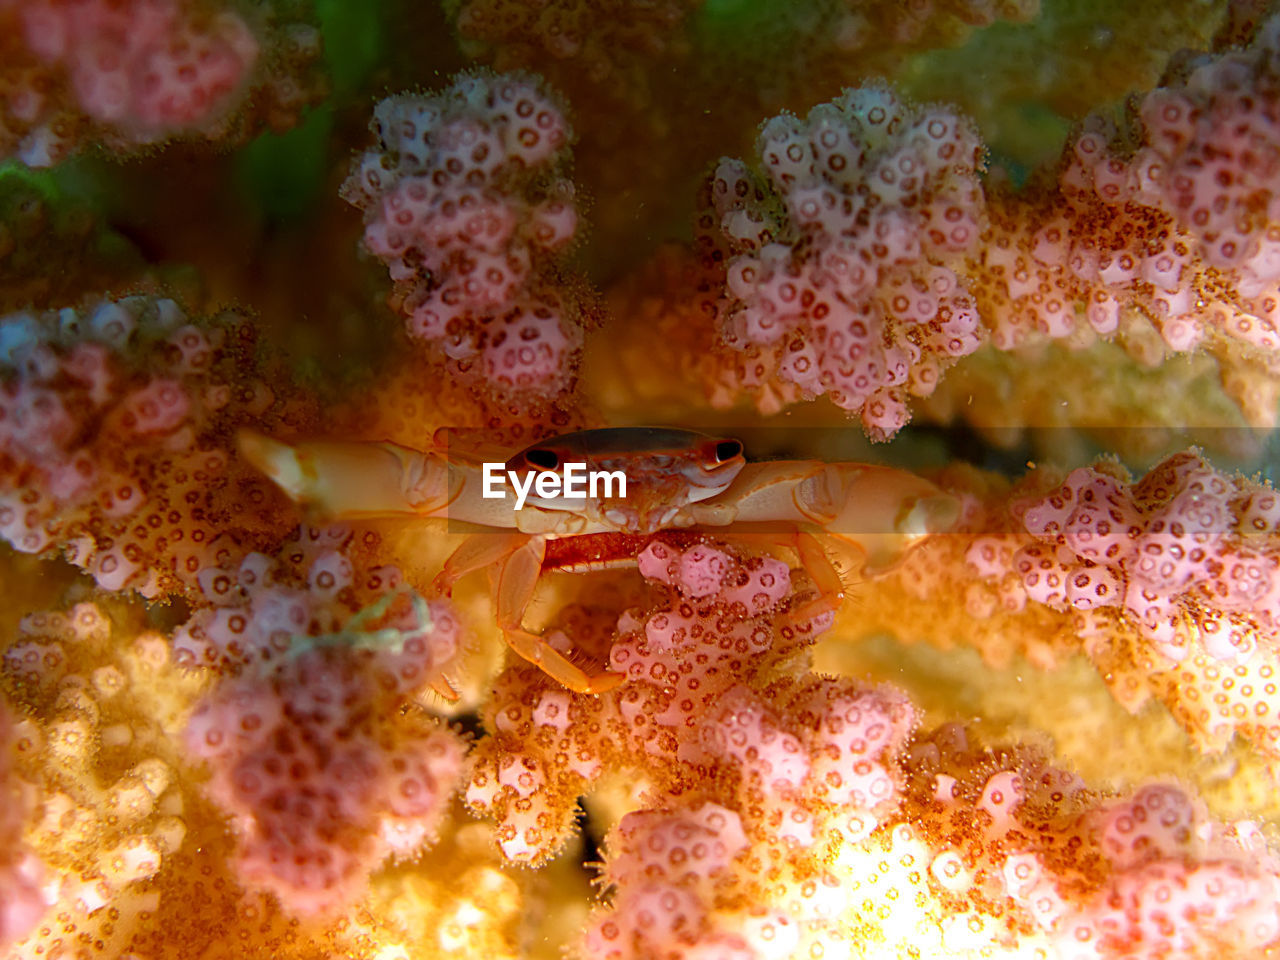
<point x="866" y="259"/>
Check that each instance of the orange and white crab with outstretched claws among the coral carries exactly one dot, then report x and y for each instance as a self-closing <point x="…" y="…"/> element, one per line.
<point x="676" y="481"/>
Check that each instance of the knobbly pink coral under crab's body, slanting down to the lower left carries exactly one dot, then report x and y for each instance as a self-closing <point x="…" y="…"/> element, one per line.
<point x="550" y="744"/>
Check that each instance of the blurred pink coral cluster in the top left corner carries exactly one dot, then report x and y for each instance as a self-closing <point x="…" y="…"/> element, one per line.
<point x="144" y="71"/>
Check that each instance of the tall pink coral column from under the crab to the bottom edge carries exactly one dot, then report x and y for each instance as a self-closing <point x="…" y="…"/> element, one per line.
<point x="747" y="762"/>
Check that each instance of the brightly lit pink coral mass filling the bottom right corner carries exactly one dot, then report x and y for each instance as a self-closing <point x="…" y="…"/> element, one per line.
<point x="999" y="852"/>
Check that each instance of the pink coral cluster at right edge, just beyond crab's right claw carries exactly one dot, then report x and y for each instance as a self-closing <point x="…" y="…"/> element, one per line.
<point x="1186" y="543"/>
